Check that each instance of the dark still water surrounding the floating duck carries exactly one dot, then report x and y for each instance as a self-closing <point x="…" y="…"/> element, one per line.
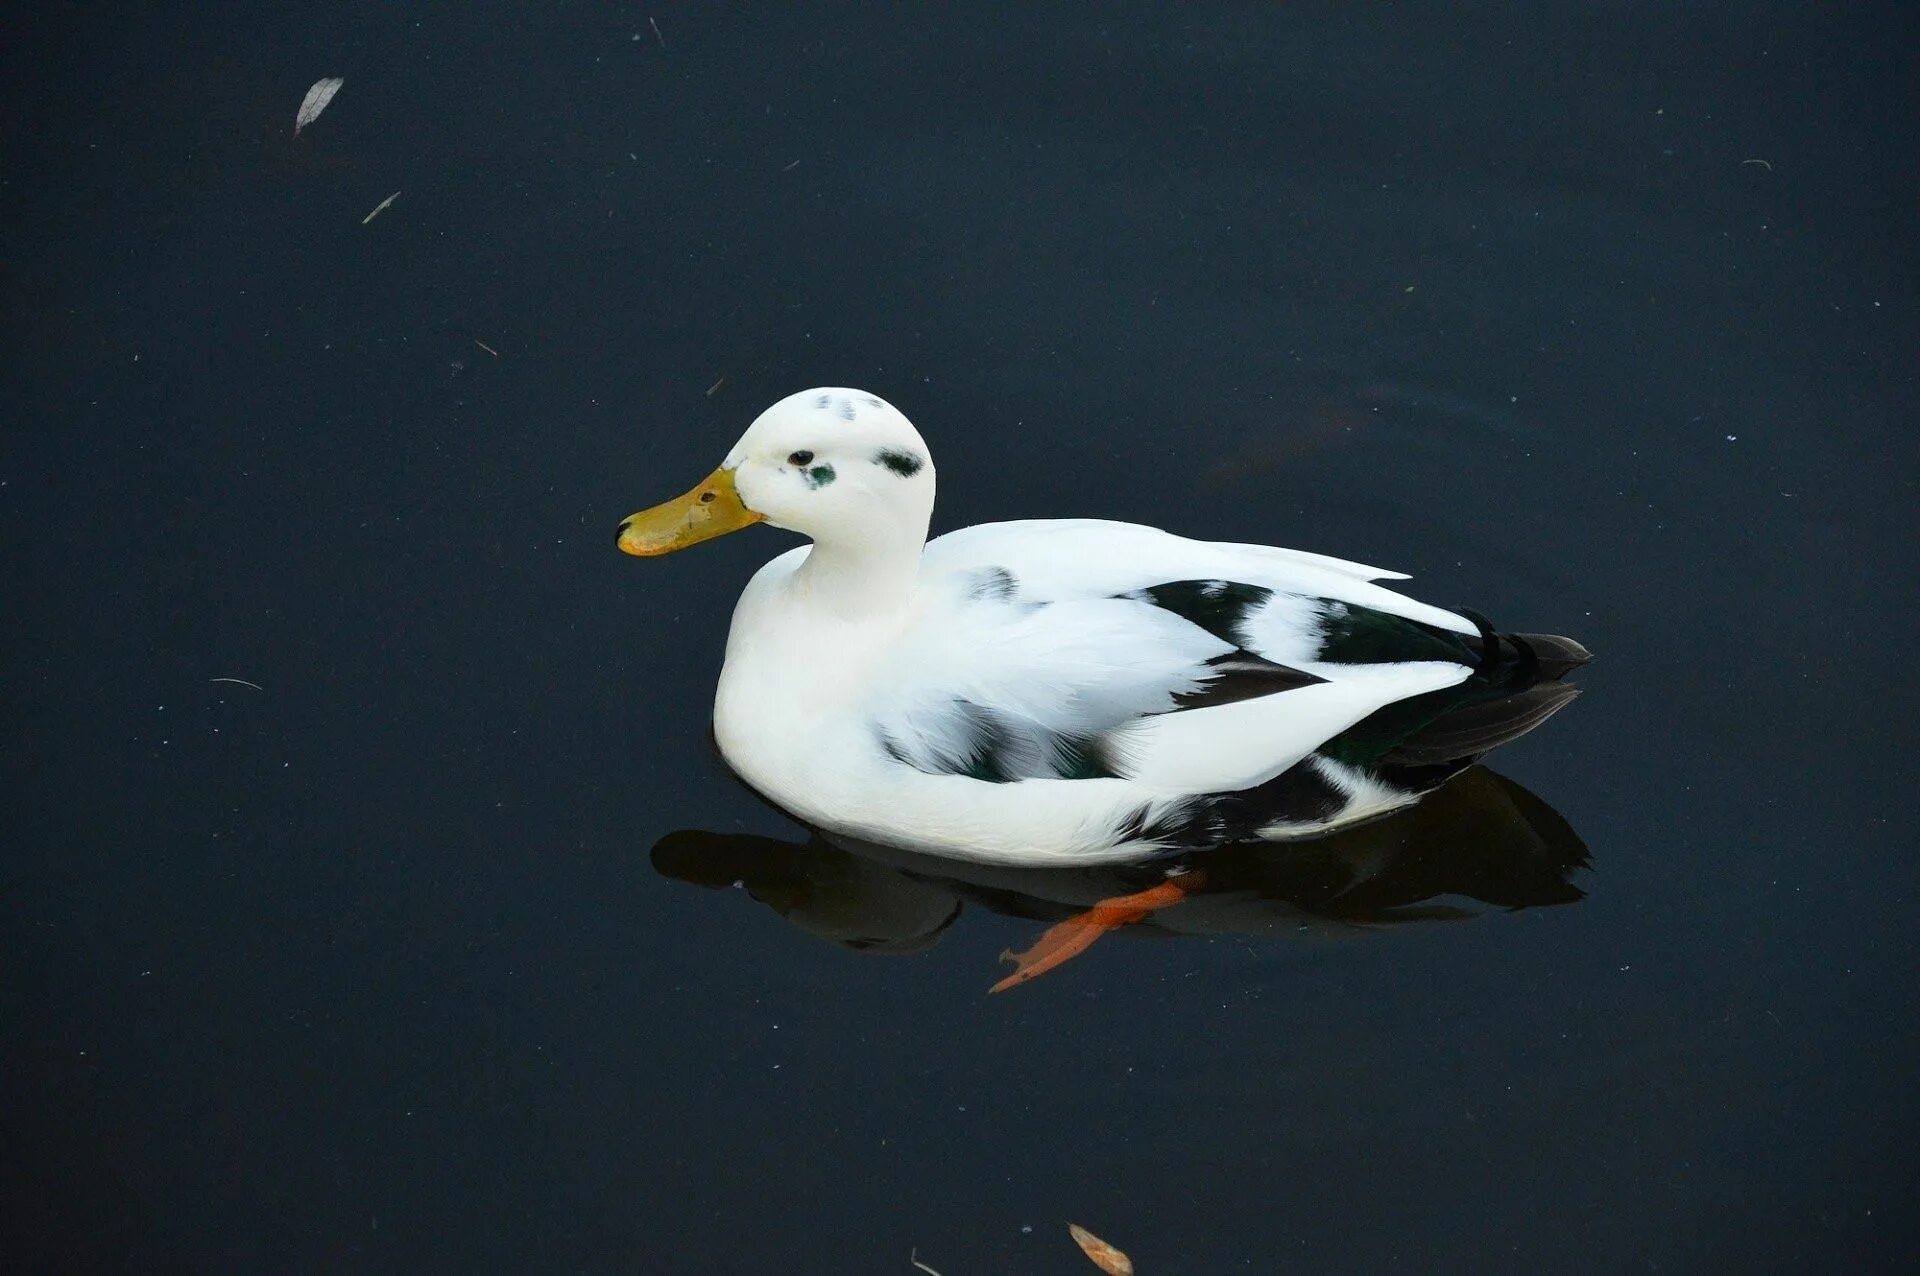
<point x="1600" y="319"/>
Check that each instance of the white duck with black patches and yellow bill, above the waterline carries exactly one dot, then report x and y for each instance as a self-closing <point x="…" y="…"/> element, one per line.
<point x="1070" y="692"/>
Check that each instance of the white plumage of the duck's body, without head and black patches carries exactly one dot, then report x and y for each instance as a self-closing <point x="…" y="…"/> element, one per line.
<point x="807" y="697"/>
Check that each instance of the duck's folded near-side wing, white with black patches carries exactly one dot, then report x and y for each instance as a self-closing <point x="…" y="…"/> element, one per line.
<point x="1063" y="651"/>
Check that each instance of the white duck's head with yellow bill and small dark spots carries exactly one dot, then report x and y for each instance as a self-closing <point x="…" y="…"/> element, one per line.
<point x="836" y="465"/>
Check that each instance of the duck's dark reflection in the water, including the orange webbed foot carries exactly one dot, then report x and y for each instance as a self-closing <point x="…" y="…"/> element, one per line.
<point x="1476" y="845"/>
